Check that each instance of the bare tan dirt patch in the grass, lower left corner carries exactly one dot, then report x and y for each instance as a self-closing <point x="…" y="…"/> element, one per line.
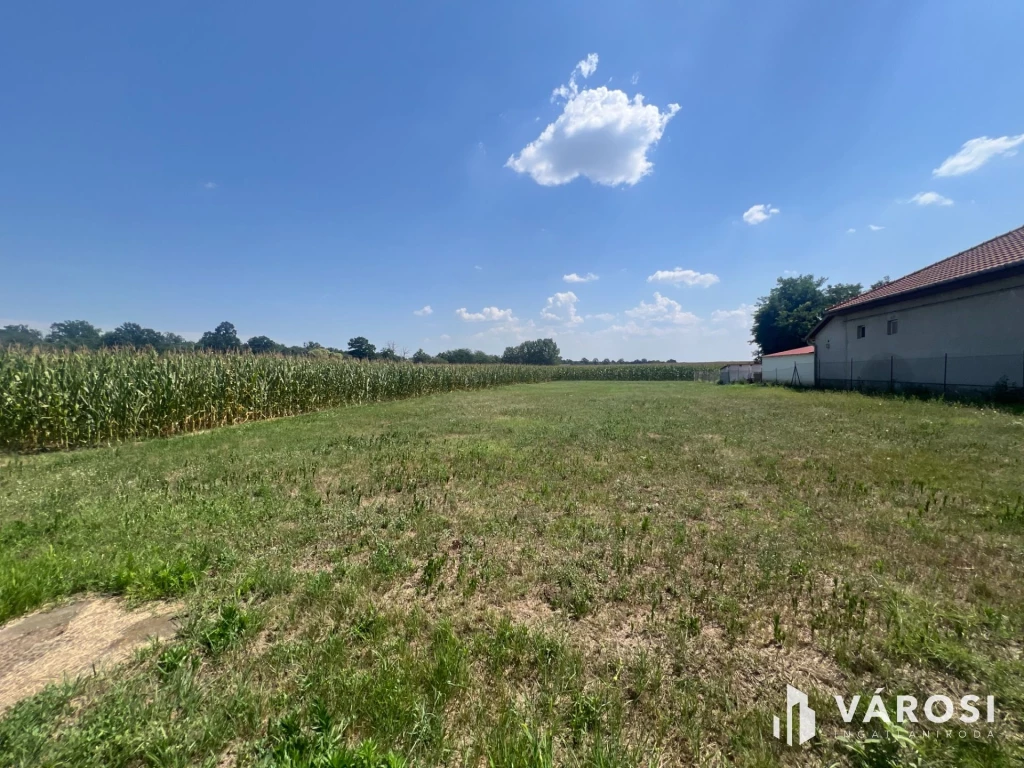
<point x="65" y="643"/>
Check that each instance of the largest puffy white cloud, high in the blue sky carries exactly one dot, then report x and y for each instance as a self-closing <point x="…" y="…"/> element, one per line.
<point x="602" y="135"/>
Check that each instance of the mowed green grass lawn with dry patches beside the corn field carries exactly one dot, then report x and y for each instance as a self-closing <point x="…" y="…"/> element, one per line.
<point x="568" y="574"/>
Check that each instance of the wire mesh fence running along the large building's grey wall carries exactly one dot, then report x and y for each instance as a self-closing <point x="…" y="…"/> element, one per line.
<point x="948" y="374"/>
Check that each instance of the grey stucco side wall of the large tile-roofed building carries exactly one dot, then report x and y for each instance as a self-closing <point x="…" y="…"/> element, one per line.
<point x="982" y="328"/>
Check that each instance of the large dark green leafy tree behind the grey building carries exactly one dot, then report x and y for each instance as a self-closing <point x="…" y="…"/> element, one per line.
<point x="785" y="318"/>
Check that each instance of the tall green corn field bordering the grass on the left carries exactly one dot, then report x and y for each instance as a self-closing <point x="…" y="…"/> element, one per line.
<point x="61" y="401"/>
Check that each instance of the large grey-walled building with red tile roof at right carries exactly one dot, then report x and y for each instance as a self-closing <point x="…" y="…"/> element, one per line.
<point x="957" y="325"/>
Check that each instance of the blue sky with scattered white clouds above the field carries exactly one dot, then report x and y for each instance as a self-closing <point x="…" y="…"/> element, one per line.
<point x="326" y="170"/>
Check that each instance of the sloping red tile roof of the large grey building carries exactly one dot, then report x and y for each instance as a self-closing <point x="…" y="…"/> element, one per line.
<point x="990" y="257"/>
